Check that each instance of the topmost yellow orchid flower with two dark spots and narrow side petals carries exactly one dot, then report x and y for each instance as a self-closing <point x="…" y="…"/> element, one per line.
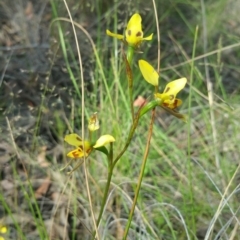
<point x="133" y="33"/>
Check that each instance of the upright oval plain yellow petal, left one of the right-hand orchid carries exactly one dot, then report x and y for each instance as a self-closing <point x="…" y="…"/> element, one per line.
<point x="148" y="72"/>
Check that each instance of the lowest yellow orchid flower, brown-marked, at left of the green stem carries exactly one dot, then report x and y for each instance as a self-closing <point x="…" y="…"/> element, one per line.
<point x="85" y="148"/>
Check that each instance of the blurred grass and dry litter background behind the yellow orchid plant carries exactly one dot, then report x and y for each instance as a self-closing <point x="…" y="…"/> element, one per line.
<point x="191" y="185"/>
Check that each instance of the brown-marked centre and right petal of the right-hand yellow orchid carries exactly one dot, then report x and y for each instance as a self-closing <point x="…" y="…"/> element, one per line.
<point x="169" y="94"/>
